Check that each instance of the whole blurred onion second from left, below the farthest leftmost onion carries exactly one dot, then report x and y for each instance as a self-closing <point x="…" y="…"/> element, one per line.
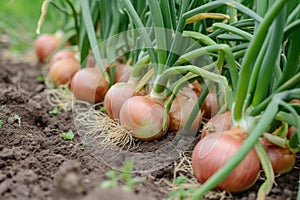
<point x="62" y="71"/>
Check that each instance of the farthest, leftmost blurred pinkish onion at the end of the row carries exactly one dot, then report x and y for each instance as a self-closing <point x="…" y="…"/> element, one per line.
<point x="45" y="45"/>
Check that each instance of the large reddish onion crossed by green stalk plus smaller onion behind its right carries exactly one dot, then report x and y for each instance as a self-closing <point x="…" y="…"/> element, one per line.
<point x="219" y="141"/>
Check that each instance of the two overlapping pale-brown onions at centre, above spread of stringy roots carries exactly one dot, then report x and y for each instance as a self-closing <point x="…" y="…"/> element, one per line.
<point x="136" y="110"/>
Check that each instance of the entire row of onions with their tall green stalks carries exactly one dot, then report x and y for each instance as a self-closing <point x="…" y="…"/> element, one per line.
<point x="164" y="66"/>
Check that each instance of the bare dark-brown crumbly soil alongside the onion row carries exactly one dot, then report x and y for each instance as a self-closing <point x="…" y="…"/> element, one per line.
<point x="36" y="163"/>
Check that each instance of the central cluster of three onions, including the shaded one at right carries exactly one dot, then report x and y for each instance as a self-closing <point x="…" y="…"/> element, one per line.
<point x="143" y="114"/>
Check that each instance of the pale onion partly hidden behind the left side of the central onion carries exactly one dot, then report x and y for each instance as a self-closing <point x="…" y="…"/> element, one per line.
<point x="116" y="96"/>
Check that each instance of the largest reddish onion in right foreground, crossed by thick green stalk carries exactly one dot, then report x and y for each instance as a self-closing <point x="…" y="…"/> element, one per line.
<point x="215" y="150"/>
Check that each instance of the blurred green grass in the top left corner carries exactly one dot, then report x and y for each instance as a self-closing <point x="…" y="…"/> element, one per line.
<point x="18" y="23"/>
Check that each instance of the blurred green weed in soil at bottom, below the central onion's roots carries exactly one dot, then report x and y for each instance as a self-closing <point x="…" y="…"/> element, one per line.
<point x="125" y="175"/>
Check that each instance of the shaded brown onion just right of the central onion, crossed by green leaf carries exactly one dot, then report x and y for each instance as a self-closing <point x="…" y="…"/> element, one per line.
<point x="181" y="109"/>
